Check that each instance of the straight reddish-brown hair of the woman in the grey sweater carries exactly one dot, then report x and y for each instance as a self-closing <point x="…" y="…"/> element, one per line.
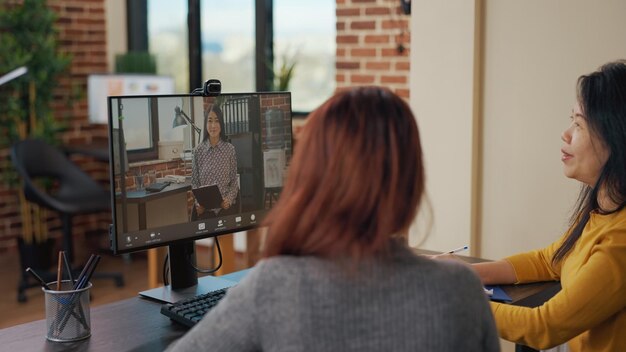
<point x="356" y="178"/>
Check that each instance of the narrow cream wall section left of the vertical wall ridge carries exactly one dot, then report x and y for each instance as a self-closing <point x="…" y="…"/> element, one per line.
<point x="442" y="100"/>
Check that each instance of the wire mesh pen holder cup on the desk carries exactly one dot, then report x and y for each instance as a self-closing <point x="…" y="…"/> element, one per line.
<point x="67" y="313"/>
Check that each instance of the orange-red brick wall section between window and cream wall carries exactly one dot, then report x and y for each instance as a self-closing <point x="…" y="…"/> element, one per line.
<point x="373" y="45"/>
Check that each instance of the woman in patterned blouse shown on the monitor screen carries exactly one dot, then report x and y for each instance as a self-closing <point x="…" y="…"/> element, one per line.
<point x="215" y="163"/>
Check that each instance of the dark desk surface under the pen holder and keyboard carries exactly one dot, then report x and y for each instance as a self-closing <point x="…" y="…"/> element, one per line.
<point x="137" y="325"/>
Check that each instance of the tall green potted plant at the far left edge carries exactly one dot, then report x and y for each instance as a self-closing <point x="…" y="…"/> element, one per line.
<point x="28" y="38"/>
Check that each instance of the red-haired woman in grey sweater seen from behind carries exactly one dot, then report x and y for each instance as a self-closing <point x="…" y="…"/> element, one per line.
<point x="338" y="274"/>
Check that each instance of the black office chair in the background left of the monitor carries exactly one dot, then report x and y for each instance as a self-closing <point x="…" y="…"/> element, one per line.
<point x="74" y="193"/>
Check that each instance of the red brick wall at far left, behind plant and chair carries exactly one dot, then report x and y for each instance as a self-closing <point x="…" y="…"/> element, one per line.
<point x="82" y="33"/>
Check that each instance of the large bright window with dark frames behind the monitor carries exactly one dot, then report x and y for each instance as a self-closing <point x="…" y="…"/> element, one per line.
<point x="226" y="34"/>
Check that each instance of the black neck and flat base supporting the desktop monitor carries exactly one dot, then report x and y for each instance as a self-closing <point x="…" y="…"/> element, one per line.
<point x="184" y="279"/>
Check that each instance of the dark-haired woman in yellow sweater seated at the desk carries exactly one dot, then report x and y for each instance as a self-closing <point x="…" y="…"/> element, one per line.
<point x="590" y="259"/>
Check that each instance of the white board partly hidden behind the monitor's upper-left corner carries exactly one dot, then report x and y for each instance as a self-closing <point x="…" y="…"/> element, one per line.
<point x="99" y="87"/>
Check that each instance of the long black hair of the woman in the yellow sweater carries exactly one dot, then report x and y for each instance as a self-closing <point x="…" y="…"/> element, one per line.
<point x="602" y="96"/>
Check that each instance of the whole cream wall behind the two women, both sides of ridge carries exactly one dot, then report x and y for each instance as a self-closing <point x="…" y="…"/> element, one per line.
<point x="534" y="50"/>
